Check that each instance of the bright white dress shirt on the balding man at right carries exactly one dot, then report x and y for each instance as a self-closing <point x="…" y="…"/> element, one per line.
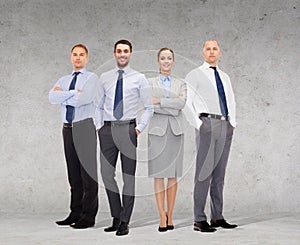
<point x="203" y="95"/>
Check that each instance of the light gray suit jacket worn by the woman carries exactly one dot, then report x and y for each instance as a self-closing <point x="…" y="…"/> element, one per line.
<point x="169" y="109"/>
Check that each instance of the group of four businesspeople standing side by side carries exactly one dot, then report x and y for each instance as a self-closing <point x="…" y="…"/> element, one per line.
<point x="108" y="106"/>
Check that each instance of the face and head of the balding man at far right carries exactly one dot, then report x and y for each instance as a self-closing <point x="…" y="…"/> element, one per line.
<point x="211" y="52"/>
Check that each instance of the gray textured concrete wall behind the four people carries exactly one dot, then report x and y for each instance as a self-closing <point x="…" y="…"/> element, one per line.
<point x="260" y="43"/>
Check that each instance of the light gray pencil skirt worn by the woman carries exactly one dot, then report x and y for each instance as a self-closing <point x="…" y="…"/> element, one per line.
<point x="165" y="155"/>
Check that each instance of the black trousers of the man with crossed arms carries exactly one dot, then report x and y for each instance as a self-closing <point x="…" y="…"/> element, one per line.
<point x="80" y="146"/>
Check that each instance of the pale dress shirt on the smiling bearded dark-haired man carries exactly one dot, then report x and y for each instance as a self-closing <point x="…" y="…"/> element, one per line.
<point x="135" y="89"/>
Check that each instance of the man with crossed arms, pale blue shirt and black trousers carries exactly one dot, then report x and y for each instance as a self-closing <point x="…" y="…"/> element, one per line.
<point x="75" y="93"/>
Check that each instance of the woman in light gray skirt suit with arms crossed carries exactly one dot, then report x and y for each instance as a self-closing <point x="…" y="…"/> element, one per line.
<point x="165" y="145"/>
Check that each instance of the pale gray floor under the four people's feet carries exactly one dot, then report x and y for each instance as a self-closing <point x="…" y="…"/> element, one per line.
<point x="41" y="229"/>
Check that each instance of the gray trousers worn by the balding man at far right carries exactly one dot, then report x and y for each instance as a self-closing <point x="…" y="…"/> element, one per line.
<point x="213" y="146"/>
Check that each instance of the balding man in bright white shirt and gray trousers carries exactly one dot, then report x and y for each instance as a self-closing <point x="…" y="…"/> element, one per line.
<point x="211" y="101"/>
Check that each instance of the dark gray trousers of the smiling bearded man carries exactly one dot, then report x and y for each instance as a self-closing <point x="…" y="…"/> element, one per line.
<point x="114" y="139"/>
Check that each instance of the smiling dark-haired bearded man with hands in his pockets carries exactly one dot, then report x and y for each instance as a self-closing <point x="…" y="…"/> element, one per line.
<point x="120" y="91"/>
